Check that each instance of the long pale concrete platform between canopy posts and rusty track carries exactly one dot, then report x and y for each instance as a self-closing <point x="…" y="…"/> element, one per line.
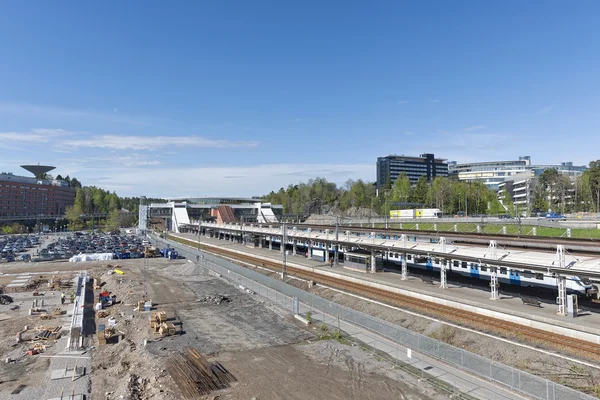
<point x="474" y="299"/>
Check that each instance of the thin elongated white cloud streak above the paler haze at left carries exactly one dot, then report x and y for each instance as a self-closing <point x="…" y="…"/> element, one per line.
<point x="117" y="142"/>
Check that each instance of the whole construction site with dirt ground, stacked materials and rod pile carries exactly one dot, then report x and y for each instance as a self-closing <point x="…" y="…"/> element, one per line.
<point x="163" y="328"/>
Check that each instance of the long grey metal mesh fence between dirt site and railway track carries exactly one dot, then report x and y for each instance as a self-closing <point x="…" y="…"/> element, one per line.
<point x="513" y="378"/>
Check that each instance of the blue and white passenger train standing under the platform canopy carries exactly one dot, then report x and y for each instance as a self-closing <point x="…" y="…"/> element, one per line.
<point x="506" y="275"/>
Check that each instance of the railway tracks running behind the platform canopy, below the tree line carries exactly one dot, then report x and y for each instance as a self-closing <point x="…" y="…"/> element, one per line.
<point x="575" y="244"/>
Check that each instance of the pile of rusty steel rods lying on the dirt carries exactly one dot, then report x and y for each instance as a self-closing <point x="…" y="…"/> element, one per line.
<point x="195" y="376"/>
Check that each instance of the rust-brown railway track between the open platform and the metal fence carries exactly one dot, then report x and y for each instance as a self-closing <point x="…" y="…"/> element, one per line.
<point x="565" y="344"/>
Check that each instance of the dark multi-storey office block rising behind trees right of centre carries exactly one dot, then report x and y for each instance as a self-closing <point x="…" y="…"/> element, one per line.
<point x="392" y="166"/>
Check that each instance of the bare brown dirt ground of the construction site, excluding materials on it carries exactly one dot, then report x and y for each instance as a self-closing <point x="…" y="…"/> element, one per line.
<point x="270" y="356"/>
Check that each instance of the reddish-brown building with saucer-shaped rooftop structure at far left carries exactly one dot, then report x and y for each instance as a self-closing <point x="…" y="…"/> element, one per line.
<point x="29" y="196"/>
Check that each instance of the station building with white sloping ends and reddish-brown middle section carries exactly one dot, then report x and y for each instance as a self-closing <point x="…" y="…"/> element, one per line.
<point x="184" y="211"/>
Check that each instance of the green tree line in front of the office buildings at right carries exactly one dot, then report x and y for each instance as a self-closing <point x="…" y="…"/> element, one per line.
<point x="551" y="190"/>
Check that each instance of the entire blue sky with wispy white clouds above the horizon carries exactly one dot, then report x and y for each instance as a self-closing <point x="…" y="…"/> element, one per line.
<point x="240" y="98"/>
